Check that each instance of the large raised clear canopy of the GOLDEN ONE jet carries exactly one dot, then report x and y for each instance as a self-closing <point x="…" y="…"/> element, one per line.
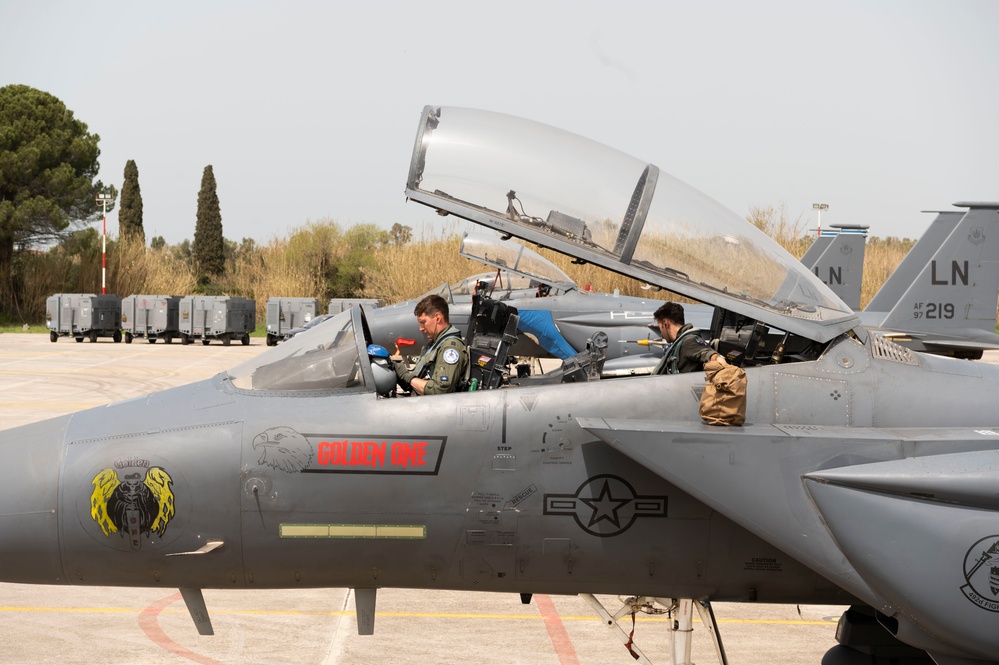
<point x="589" y="201"/>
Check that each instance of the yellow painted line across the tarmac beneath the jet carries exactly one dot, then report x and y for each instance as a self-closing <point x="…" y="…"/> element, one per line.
<point x="403" y="615"/>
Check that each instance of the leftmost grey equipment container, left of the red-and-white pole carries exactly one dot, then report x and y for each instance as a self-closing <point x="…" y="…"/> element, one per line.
<point x="80" y="315"/>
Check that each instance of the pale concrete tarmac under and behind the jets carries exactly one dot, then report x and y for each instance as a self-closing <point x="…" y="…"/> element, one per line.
<point x="66" y="624"/>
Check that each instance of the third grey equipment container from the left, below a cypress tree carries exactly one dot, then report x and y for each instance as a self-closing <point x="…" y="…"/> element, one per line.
<point x="217" y="317"/>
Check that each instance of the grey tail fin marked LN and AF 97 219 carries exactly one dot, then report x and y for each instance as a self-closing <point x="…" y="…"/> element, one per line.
<point x="957" y="290"/>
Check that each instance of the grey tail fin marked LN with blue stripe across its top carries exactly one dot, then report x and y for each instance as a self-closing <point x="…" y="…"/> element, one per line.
<point x="837" y="258"/>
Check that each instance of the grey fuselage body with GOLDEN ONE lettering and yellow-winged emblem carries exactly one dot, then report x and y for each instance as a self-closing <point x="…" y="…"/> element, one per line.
<point x="494" y="490"/>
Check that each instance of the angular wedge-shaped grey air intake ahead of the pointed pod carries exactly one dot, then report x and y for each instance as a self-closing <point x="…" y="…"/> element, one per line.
<point x="752" y="475"/>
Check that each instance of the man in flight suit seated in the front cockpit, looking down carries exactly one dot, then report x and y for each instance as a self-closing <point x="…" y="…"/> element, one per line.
<point x="443" y="360"/>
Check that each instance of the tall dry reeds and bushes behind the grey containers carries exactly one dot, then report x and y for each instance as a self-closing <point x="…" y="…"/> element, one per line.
<point x="325" y="260"/>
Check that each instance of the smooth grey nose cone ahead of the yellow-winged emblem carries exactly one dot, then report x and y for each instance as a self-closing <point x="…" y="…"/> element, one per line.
<point x="30" y="458"/>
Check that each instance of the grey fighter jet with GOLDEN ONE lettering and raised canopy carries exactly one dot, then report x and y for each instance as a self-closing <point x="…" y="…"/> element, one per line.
<point x="854" y="480"/>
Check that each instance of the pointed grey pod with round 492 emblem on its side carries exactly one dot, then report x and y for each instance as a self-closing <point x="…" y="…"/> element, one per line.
<point x="899" y="523"/>
